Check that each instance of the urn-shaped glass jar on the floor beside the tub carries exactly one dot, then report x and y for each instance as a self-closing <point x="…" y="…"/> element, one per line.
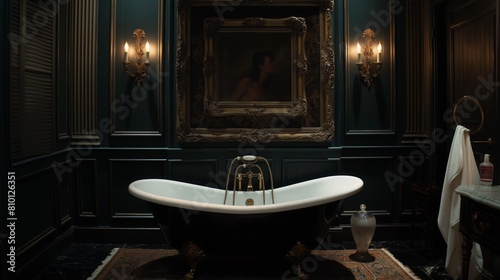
<point x="363" y="226"/>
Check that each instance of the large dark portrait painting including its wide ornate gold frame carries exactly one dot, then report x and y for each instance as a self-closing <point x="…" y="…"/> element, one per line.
<point x="218" y="49"/>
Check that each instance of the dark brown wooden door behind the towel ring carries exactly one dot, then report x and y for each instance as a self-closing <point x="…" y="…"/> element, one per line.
<point x="472" y="74"/>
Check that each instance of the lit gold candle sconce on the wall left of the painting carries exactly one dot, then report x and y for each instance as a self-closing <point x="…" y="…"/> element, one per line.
<point x="136" y="68"/>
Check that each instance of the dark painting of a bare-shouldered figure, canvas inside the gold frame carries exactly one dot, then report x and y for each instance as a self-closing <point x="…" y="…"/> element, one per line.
<point x="254" y="67"/>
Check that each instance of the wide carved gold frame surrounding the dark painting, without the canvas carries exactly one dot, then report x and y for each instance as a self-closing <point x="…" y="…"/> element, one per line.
<point x="307" y="117"/>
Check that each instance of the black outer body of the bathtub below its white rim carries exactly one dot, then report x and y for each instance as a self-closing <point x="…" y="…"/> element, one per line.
<point x="245" y="234"/>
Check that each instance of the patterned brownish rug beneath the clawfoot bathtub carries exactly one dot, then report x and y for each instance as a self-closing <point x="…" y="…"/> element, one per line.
<point x="155" y="264"/>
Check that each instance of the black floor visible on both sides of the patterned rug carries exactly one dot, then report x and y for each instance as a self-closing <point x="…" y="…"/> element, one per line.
<point x="80" y="260"/>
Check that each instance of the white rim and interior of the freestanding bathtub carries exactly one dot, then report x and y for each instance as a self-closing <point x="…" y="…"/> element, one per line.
<point x="201" y="198"/>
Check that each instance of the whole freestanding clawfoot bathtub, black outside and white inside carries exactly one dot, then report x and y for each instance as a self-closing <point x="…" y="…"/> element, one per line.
<point x="198" y="220"/>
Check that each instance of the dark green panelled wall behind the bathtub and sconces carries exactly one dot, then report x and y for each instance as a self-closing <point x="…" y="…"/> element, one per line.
<point x="79" y="192"/>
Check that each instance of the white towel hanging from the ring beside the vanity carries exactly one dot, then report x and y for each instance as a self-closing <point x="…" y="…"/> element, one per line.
<point x="460" y="170"/>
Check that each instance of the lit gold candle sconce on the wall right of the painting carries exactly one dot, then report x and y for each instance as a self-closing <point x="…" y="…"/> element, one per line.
<point x="367" y="69"/>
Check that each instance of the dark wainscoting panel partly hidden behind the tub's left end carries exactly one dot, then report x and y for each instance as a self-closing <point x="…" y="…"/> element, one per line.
<point x="122" y="173"/>
